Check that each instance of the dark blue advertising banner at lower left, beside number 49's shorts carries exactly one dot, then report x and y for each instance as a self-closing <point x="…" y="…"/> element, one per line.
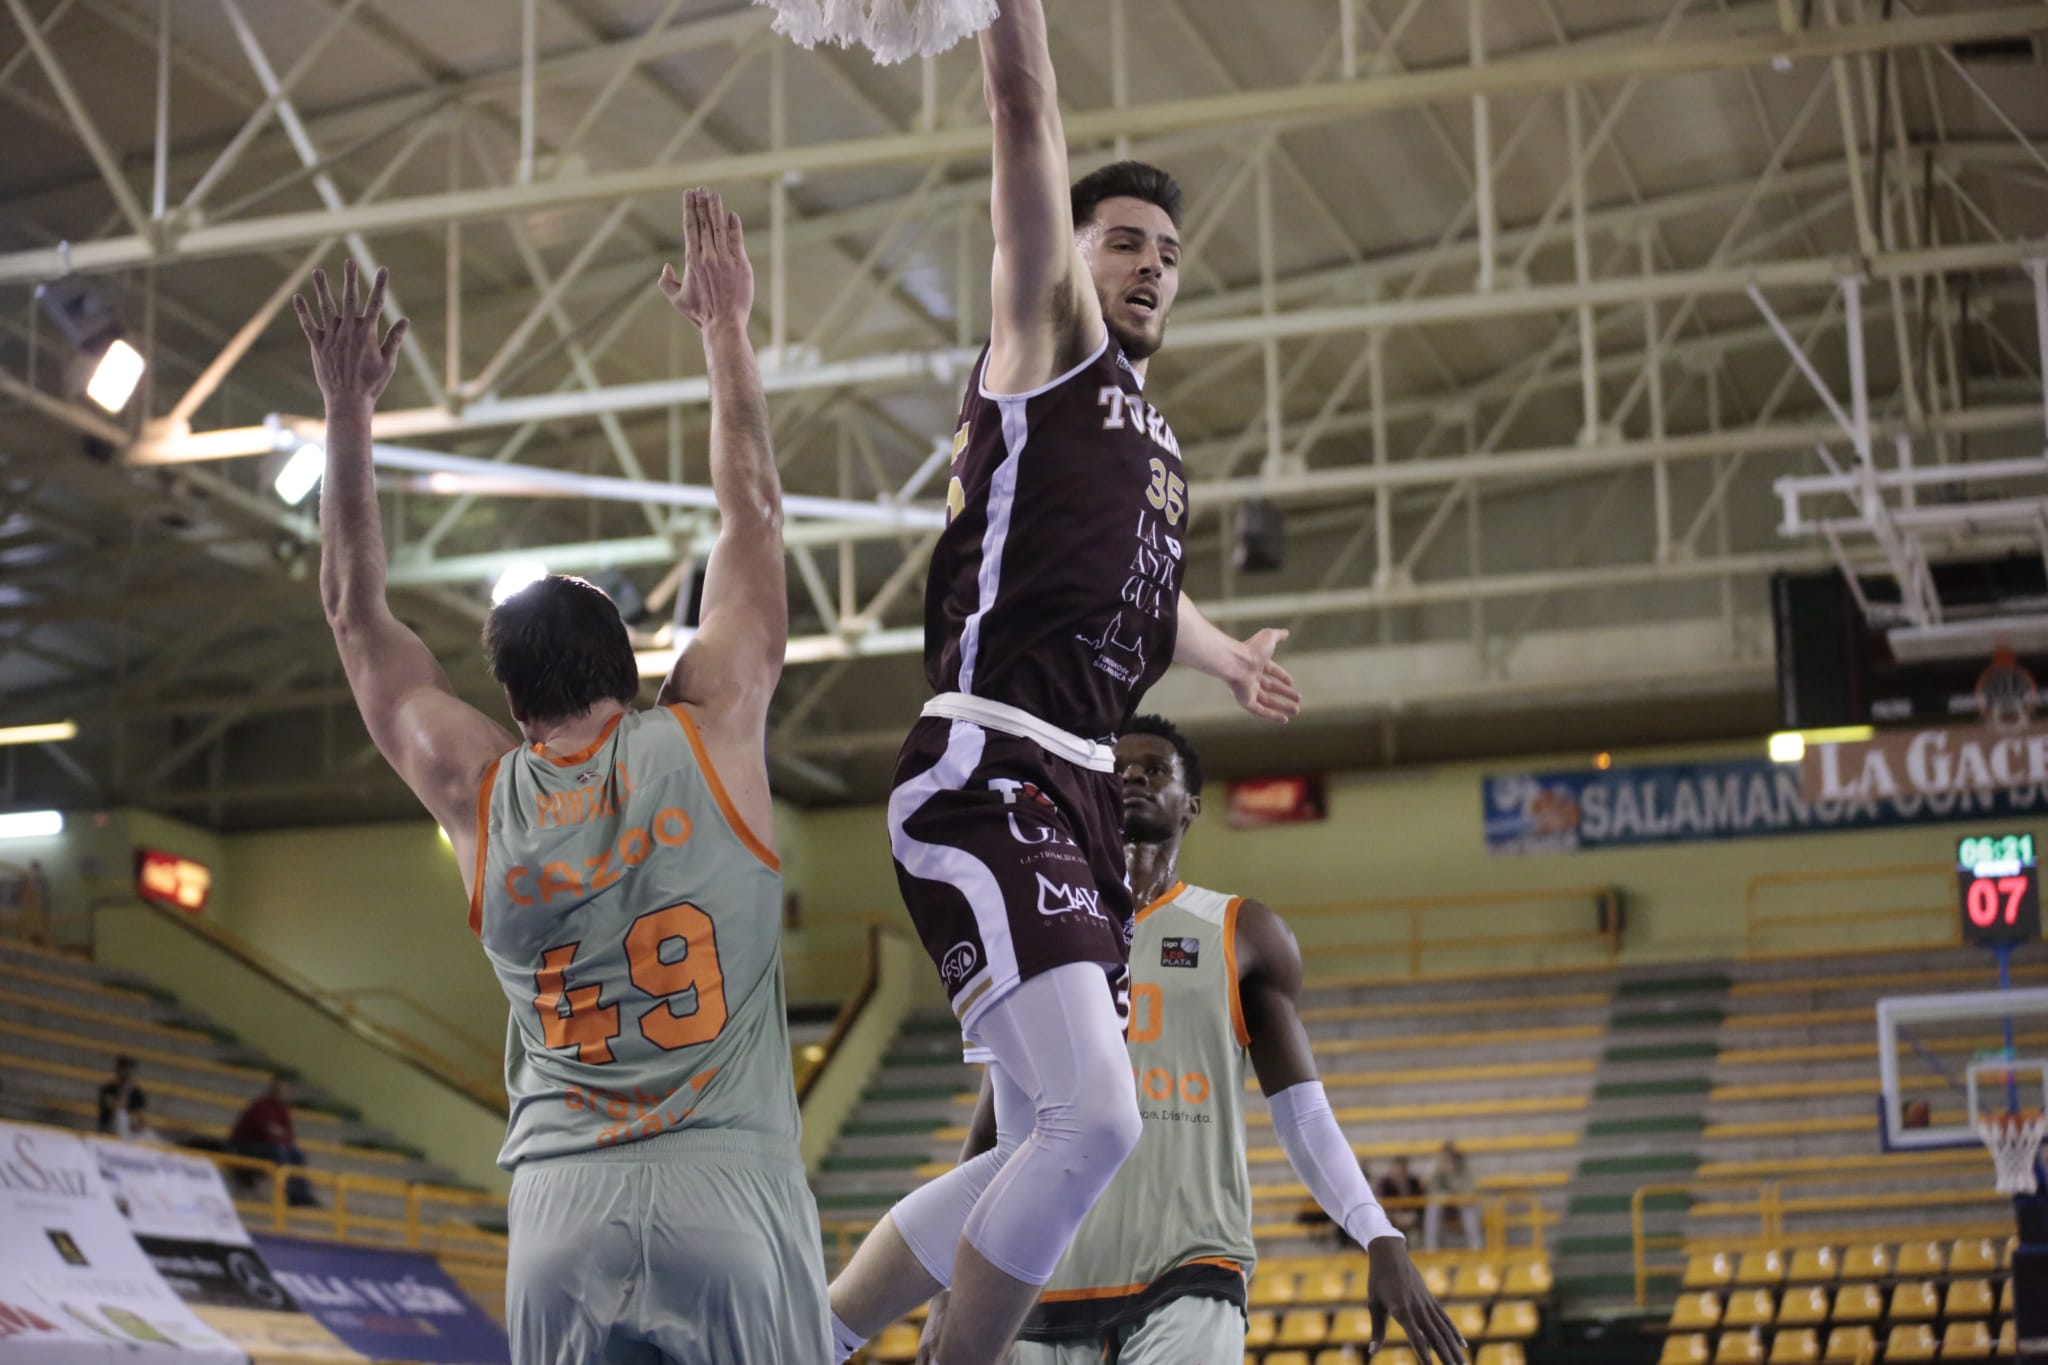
<point x="388" y="1305"/>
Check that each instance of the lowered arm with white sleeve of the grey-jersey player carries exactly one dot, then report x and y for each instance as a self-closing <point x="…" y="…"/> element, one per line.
<point x="1316" y="1147"/>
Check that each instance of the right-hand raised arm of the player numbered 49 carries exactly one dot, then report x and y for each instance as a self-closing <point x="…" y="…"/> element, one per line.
<point x="734" y="662"/>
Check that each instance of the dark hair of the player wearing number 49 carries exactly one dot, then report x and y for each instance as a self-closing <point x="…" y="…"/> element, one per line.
<point x="558" y="648"/>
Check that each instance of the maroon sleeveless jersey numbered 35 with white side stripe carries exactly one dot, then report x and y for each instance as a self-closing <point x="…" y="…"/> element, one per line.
<point x="1056" y="586"/>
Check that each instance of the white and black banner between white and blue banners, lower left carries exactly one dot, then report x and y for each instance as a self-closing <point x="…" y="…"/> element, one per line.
<point x="187" y="1225"/>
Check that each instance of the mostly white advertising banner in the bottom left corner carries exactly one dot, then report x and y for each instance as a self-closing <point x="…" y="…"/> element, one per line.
<point x="75" y="1286"/>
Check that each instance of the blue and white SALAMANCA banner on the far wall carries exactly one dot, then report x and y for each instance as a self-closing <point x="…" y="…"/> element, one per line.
<point x="1689" y="803"/>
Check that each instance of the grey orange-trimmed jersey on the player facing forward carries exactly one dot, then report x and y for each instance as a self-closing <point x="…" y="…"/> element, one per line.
<point x="1179" y="1215"/>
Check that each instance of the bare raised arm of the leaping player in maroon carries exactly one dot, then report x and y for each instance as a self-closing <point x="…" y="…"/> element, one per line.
<point x="1046" y="314"/>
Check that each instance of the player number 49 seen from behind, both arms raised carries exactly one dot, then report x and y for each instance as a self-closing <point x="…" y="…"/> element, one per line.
<point x="622" y="881"/>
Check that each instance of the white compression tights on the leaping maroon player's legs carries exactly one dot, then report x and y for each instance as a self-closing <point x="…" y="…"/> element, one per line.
<point x="1066" y="1118"/>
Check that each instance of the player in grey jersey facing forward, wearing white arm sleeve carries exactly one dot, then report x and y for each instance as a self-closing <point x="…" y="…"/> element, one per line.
<point x="1158" y="1270"/>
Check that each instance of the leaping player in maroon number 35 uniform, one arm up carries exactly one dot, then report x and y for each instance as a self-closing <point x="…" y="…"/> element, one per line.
<point x="1054" y="603"/>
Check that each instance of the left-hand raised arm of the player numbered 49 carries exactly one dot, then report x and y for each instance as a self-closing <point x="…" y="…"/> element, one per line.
<point x="431" y="738"/>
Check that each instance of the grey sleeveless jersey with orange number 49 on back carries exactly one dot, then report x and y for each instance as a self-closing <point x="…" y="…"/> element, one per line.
<point x="636" y="926"/>
